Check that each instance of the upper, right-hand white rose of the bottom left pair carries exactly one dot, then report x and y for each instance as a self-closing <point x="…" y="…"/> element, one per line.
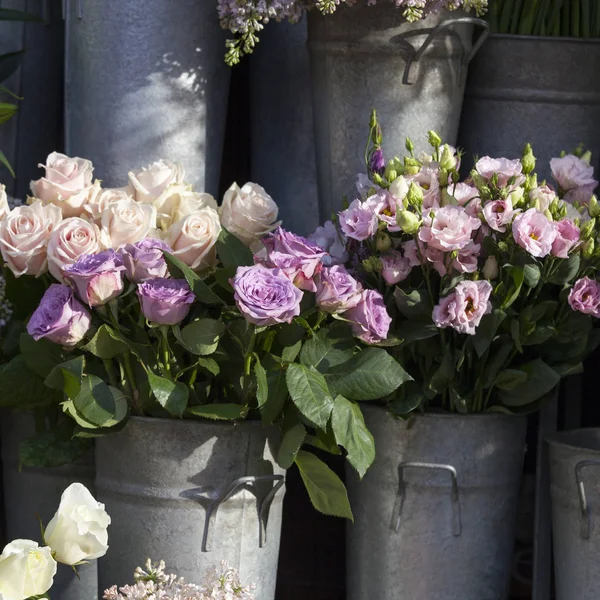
<point x="78" y="530"/>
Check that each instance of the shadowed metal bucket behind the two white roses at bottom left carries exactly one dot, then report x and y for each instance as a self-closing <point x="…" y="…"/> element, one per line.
<point x="32" y="492"/>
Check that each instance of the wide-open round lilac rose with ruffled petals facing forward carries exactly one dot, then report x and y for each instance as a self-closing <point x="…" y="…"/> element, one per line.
<point x="265" y="296"/>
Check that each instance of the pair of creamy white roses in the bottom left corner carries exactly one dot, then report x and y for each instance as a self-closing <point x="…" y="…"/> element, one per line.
<point x="76" y="534"/>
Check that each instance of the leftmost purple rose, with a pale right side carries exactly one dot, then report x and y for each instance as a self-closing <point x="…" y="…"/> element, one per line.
<point x="59" y="317"/>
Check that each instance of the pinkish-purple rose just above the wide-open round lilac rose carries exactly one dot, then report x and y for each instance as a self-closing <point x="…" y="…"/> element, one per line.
<point x="299" y="259"/>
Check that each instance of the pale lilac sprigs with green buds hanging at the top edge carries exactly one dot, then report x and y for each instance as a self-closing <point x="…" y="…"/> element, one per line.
<point x="245" y="18"/>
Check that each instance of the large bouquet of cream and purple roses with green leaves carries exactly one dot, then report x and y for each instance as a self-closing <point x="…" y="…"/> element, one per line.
<point x="154" y="304"/>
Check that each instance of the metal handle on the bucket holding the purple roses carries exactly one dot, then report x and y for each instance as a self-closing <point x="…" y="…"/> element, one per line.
<point x="263" y="505"/>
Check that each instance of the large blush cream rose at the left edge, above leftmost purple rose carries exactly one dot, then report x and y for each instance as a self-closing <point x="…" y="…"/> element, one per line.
<point x="24" y="236"/>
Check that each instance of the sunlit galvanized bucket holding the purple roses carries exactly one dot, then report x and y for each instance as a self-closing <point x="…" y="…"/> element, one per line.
<point x="193" y="494"/>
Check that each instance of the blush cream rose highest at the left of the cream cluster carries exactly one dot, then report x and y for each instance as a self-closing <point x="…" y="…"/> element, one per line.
<point x="67" y="183"/>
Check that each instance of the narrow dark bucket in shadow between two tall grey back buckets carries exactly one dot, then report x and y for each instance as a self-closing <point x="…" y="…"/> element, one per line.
<point x="283" y="147"/>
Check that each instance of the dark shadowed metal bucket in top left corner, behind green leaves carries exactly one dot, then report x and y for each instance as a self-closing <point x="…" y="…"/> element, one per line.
<point x="37" y="128"/>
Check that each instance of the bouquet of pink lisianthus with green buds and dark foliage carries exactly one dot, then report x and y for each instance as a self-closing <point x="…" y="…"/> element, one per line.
<point x="491" y="281"/>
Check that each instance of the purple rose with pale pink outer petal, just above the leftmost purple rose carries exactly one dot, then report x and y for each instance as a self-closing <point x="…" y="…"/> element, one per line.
<point x="98" y="278"/>
